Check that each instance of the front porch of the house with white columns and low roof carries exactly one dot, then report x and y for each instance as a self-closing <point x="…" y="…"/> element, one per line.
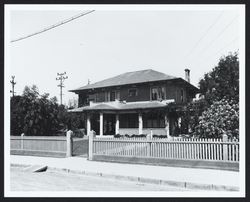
<point x="123" y="118"/>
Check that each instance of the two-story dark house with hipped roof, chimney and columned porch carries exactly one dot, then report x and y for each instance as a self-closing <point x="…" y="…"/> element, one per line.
<point x="134" y="103"/>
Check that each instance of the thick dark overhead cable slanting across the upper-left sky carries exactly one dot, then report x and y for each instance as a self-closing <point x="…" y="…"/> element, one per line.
<point x="53" y="26"/>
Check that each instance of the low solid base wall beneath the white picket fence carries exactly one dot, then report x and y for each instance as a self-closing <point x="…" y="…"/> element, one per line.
<point x="232" y="166"/>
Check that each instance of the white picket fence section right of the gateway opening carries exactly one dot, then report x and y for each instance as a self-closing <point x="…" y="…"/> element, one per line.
<point x="178" y="148"/>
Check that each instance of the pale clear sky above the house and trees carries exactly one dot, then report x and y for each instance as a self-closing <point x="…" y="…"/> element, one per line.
<point x="109" y="42"/>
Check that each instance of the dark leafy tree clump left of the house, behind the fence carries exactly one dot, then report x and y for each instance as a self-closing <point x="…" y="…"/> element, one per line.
<point x="35" y="114"/>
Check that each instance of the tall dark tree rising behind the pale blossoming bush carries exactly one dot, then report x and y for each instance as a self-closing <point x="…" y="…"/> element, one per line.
<point x="222" y="81"/>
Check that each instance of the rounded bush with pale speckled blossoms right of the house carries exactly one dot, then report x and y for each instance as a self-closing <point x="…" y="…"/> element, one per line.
<point x="222" y="117"/>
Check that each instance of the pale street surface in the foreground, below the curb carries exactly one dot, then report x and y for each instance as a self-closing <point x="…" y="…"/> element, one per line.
<point x="61" y="181"/>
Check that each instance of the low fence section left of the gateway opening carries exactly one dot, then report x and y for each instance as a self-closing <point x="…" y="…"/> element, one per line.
<point x="38" y="146"/>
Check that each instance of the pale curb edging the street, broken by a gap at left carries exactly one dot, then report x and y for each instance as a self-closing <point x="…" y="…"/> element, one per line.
<point x="187" y="185"/>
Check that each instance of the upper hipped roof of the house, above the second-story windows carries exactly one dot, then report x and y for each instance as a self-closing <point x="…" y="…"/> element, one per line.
<point x="129" y="78"/>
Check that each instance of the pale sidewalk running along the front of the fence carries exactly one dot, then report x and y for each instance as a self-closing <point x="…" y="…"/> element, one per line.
<point x="185" y="177"/>
